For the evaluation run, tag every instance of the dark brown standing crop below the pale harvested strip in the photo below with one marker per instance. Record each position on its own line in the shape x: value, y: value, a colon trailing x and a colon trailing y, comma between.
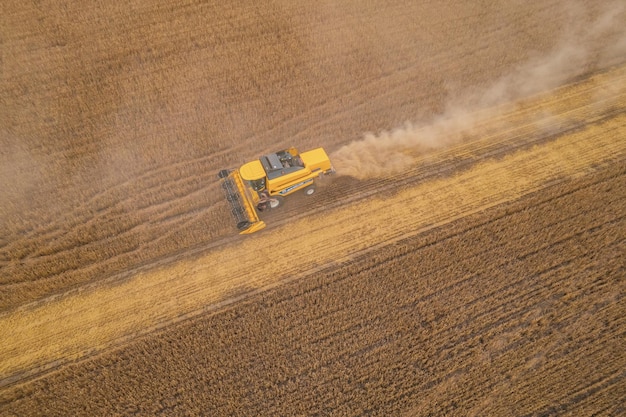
x: 514, y: 311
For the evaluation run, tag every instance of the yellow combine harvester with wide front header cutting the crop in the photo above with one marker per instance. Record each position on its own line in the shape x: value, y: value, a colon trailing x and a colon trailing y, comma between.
x: 261, y: 185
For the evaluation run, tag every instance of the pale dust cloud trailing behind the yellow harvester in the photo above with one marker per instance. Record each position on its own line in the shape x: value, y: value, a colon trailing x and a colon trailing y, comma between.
x: 585, y: 45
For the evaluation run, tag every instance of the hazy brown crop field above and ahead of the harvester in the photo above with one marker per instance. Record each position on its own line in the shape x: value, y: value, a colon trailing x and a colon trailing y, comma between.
x: 116, y: 119
